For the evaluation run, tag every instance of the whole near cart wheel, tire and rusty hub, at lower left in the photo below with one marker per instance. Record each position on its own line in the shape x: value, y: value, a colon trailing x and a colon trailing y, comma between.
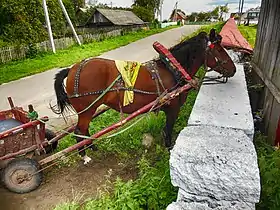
x: 20, y: 175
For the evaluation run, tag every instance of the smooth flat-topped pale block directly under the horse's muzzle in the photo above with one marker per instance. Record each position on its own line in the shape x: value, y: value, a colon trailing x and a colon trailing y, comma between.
x: 224, y: 104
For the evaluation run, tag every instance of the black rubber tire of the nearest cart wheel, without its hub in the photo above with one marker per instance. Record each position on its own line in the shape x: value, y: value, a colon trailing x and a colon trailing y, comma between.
x: 30, y: 166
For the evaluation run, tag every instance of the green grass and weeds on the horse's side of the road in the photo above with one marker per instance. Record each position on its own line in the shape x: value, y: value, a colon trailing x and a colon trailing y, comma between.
x: 152, y: 189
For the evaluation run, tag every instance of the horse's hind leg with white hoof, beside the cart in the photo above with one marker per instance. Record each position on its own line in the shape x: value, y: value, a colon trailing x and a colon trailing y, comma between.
x: 82, y: 129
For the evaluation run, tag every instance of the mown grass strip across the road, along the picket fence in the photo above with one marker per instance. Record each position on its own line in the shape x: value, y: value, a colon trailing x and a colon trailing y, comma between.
x: 43, y: 62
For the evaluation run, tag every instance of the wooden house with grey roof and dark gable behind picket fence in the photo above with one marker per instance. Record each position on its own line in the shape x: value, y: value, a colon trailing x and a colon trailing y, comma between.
x: 110, y: 17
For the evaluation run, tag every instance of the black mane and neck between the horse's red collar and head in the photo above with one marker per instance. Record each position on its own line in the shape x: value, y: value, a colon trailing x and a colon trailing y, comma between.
x: 189, y: 50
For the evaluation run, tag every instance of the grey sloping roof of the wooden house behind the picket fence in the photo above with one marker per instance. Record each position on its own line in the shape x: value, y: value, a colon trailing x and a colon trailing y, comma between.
x: 120, y: 17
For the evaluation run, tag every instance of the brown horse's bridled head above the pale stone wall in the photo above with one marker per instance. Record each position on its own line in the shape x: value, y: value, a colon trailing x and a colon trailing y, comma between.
x: 216, y: 57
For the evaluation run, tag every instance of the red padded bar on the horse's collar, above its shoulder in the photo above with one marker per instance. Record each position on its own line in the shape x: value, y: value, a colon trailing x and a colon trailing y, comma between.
x: 167, y: 54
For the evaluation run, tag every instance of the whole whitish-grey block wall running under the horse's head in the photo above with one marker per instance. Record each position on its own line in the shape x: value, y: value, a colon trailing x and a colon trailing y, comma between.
x: 214, y: 162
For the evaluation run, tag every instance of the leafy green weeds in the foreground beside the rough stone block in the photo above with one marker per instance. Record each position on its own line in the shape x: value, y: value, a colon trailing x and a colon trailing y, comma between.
x: 152, y: 190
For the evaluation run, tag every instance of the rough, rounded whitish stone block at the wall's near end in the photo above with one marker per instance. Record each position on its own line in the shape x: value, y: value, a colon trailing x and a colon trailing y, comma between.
x: 212, y: 164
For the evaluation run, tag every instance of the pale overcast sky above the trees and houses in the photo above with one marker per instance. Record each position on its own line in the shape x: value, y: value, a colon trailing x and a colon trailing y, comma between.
x: 190, y: 5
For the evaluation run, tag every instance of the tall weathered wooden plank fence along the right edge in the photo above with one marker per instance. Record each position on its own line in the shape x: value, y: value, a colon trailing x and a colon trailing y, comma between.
x: 266, y: 63
